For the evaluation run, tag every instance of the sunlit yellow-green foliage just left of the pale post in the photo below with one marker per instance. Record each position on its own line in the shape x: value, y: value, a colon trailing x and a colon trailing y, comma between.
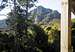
x: 53, y: 31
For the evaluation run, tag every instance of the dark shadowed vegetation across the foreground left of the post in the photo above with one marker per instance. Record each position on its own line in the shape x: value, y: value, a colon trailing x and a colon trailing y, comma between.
x: 36, y: 40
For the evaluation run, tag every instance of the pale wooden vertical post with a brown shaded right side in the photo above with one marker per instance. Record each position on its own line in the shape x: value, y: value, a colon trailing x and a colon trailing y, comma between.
x: 66, y: 26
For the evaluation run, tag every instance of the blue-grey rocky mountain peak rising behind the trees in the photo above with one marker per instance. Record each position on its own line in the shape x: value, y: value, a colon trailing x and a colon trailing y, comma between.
x: 45, y: 14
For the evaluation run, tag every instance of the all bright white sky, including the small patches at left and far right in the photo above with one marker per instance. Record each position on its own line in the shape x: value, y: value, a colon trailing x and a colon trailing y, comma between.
x: 52, y: 4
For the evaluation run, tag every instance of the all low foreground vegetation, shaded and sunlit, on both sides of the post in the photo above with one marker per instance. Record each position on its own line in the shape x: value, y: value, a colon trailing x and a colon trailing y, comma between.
x: 38, y: 38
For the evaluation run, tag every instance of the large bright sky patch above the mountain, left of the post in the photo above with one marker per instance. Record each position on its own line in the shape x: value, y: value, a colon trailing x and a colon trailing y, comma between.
x: 52, y: 4
